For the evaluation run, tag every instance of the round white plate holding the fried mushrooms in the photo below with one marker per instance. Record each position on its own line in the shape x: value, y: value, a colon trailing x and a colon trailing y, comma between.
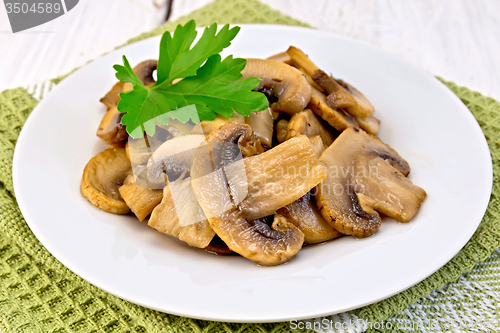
x: 421, y: 118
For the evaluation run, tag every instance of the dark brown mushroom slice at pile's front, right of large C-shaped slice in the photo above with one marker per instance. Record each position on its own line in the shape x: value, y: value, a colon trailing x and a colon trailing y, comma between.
x: 304, y: 215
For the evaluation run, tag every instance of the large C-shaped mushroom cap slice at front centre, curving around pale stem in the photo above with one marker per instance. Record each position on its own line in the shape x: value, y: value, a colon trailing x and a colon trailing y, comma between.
x: 253, y: 239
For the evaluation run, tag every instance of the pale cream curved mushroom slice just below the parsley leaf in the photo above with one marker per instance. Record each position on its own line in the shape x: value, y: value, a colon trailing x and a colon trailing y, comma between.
x: 172, y: 157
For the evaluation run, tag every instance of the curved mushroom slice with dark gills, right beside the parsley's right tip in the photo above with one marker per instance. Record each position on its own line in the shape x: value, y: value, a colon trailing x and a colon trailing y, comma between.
x: 282, y: 81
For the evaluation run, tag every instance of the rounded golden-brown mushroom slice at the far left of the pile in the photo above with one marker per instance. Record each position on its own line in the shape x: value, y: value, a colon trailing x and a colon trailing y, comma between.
x: 102, y: 177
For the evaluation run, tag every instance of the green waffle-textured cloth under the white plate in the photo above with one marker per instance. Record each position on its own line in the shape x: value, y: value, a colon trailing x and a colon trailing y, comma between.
x: 39, y: 294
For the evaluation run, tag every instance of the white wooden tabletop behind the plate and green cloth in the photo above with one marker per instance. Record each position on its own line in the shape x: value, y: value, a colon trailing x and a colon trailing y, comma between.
x: 456, y: 39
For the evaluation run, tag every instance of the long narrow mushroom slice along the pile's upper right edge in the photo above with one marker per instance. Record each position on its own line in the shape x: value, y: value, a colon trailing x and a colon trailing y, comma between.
x: 338, y: 96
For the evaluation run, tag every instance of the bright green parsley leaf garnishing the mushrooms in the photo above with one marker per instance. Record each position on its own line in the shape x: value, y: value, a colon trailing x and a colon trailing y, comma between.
x: 214, y: 88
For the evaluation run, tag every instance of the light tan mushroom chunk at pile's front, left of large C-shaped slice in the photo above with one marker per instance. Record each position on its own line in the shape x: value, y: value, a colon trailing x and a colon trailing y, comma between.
x: 179, y: 215
